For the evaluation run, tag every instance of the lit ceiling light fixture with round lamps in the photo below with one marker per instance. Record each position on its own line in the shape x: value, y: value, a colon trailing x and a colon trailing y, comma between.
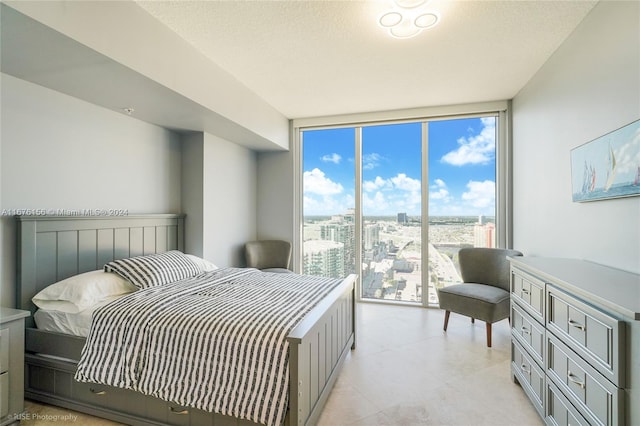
x: 408, y: 18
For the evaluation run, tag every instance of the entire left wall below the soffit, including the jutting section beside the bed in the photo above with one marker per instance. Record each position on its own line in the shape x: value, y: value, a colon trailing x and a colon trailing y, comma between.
x: 59, y: 152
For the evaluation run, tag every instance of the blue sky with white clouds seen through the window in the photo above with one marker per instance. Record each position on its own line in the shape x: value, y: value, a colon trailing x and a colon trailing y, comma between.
x: 461, y: 169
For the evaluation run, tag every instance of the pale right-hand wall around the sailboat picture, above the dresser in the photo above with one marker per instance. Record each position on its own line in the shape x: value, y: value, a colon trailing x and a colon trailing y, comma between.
x: 589, y: 87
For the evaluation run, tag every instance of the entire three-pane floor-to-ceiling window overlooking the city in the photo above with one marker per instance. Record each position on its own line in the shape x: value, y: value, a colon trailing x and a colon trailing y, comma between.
x: 395, y: 201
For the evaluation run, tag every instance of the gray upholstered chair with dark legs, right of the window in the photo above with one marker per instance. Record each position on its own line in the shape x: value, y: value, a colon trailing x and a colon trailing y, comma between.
x: 484, y: 292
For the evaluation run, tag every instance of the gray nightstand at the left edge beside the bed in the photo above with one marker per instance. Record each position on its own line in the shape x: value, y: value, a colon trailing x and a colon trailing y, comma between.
x: 11, y: 365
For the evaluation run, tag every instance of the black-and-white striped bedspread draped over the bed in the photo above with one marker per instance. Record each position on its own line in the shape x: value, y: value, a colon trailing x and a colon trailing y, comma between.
x: 216, y: 342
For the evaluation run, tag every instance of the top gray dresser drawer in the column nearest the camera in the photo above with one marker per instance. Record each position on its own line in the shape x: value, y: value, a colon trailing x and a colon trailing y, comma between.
x: 592, y: 333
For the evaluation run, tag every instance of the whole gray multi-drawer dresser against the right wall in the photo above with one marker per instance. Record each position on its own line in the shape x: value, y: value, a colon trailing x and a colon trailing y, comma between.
x: 575, y: 346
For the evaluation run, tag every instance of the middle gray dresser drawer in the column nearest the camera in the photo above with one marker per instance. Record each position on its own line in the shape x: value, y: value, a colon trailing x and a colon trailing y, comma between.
x: 599, y: 400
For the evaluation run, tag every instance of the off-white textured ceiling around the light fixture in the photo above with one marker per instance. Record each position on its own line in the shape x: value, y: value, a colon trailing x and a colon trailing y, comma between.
x: 316, y: 58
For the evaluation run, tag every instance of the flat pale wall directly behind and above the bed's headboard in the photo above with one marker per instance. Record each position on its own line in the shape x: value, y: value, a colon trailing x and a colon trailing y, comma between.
x: 62, y: 153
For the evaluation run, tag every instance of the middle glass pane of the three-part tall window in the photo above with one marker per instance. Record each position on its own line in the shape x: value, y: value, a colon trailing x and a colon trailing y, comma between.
x: 391, y: 211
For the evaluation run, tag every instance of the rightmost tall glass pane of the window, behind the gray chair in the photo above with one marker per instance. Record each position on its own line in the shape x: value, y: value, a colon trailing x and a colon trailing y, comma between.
x: 462, y: 194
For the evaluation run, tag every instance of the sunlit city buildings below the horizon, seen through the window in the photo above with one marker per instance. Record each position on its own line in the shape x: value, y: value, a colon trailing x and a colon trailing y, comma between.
x: 392, y: 255
